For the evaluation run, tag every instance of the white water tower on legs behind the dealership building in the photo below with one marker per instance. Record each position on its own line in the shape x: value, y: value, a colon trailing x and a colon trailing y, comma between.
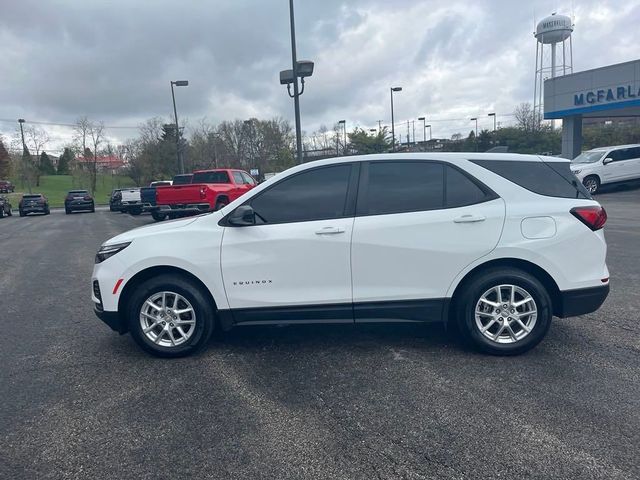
x: 551, y: 31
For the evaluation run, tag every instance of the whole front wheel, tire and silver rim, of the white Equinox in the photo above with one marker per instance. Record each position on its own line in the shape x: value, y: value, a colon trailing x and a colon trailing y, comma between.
x: 170, y: 316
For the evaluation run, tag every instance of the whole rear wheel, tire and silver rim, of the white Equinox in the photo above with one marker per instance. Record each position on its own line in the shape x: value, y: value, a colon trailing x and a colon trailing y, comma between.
x: 505, y: 312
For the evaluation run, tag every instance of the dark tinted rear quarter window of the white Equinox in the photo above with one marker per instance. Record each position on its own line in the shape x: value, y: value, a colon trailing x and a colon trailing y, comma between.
x: 551, y: 179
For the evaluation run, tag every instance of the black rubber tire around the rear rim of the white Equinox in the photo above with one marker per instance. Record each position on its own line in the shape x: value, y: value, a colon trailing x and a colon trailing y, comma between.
x: 483, y: 282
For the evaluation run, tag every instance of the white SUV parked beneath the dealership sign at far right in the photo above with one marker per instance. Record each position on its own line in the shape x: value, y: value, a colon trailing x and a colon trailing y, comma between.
x: 607, y: 165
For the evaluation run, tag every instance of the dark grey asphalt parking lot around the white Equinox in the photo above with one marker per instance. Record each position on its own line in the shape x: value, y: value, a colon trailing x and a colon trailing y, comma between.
x: 400, y: 401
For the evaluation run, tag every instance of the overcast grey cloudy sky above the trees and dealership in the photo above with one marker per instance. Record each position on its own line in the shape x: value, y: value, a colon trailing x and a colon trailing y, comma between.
x: 113, y: 60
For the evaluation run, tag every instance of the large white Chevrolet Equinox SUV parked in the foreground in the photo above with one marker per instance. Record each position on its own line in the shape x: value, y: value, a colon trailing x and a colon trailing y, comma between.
x: 496, y: 243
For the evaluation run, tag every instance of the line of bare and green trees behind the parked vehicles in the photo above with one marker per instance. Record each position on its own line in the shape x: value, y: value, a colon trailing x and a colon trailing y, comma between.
x: 264, y: 145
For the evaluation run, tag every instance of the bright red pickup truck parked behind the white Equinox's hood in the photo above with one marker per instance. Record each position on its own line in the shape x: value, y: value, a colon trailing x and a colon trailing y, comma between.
x: 209, y: 190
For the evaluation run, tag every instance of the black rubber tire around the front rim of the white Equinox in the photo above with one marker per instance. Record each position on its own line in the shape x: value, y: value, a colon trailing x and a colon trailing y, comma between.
x: 204, y: 314
